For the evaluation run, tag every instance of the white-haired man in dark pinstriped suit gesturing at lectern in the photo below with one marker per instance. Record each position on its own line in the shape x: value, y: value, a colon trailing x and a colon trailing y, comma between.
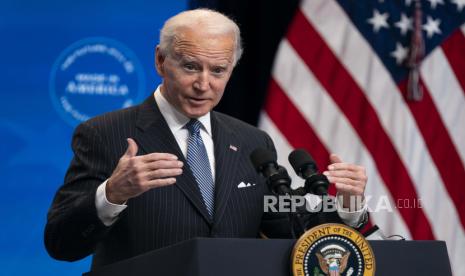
x: 168, y: 169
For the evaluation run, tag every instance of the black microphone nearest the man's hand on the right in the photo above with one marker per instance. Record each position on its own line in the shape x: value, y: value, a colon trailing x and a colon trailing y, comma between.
x: 306, y: 168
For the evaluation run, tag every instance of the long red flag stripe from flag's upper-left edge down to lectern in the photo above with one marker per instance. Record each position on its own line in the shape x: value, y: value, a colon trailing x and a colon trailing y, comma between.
x: 349, y: 97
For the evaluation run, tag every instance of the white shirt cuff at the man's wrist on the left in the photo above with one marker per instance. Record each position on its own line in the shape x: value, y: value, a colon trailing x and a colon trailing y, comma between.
x: 106, y: 211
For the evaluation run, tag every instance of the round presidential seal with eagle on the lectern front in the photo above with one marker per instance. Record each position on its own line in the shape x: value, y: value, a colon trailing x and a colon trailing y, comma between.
x: 332, y: 249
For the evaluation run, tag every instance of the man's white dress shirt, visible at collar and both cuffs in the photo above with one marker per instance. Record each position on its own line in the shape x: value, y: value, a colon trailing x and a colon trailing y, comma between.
x: 108, y: 212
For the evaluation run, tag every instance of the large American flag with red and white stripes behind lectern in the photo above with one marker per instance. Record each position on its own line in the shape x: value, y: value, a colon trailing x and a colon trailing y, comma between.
x: 382, y: 84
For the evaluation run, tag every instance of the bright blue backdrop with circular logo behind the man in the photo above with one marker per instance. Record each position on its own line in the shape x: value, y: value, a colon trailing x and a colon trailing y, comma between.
x: 61, y: 62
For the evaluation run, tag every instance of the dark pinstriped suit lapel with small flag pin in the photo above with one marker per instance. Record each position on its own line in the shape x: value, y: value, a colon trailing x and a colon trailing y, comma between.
x: 226, y: 158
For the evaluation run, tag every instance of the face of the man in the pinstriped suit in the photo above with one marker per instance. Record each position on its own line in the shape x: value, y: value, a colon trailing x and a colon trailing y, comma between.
x: 196, y: 71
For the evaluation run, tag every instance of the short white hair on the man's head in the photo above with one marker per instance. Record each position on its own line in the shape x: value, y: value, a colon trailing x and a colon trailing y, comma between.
x: 214, y: 22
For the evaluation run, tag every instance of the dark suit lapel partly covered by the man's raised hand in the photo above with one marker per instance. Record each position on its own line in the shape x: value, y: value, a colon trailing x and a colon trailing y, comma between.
x: 154, y: 135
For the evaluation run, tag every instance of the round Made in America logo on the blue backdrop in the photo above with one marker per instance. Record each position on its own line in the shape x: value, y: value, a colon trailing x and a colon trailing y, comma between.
x: 93, y: 76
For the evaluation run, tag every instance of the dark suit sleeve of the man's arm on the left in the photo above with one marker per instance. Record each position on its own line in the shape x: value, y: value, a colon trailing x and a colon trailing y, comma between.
x: 73, y: 228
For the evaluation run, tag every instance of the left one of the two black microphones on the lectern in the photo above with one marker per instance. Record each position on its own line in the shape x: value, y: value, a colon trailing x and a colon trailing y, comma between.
x: 277, y: 177
